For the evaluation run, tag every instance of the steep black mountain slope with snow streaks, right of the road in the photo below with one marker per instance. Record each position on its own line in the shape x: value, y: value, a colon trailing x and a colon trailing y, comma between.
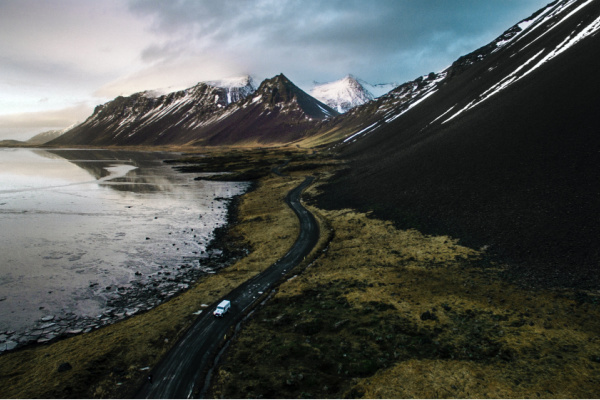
x: 501, y: 150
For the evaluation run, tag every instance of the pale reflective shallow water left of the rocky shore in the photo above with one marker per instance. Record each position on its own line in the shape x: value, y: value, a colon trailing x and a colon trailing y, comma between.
x: 77, y: 226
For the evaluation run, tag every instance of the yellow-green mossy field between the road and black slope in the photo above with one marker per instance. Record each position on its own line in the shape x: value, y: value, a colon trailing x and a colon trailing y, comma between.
x: 386, y: 313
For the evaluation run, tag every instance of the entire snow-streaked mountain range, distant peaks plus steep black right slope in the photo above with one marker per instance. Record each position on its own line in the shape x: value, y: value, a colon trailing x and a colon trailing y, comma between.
x: 500, y: 149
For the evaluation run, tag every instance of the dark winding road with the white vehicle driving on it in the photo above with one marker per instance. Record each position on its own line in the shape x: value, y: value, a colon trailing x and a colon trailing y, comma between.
x: 181, y: 374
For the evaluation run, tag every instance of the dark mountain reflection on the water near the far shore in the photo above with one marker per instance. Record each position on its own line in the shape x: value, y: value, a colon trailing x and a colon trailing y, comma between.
x: 144, y: 179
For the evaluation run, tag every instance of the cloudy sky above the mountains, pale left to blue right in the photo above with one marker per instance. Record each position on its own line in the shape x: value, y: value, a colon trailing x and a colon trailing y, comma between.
x: 61, y: 58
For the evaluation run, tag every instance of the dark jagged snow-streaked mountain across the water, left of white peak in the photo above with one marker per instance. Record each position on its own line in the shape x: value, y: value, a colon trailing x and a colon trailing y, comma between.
x: 278, y: 112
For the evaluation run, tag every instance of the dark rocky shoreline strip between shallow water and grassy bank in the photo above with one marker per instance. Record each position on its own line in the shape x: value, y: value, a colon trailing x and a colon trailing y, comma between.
x: 140, y: 295
